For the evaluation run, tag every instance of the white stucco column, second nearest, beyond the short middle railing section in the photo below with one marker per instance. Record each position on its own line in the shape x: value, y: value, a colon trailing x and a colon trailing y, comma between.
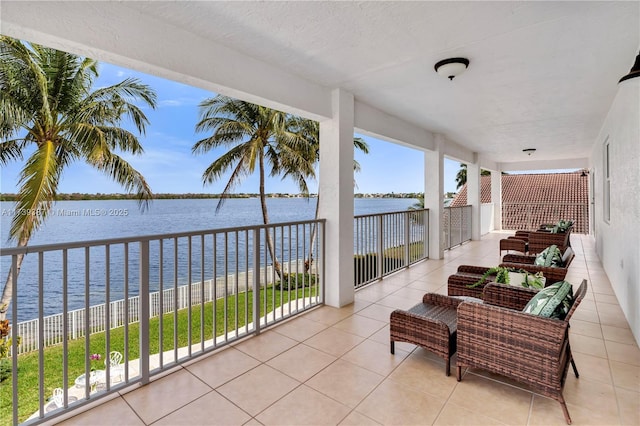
x: 434, y: 195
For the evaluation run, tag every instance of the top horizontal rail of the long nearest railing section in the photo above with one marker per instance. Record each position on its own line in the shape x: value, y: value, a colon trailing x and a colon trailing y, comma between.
x: 9, y: 251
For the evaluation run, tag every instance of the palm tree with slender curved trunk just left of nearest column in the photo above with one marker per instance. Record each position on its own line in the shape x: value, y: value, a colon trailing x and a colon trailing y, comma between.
x: 257, y: 137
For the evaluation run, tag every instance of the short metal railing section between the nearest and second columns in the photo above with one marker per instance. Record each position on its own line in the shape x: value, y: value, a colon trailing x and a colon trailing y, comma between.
x: 387, y: 242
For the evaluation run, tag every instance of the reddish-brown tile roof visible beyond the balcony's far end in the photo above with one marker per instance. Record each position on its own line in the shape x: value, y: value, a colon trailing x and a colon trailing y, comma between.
x: 531, y: 199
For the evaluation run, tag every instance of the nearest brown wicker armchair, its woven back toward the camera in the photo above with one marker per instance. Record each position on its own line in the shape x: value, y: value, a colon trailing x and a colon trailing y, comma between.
x: 529, y: 349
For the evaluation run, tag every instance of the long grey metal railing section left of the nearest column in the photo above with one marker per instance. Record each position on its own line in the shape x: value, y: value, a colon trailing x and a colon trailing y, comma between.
x: 92, y: 273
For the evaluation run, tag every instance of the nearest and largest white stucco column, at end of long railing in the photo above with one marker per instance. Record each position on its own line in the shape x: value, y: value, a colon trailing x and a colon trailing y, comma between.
x: 336, y: 199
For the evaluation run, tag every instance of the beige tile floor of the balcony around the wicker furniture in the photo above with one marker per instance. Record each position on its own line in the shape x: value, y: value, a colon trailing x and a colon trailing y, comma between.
x: 333, y: 366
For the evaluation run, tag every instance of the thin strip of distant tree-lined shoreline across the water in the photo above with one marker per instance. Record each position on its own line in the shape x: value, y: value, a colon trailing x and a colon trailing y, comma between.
x: 83, y: 196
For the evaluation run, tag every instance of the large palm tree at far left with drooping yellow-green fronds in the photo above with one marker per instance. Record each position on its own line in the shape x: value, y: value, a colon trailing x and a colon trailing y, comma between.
x: 49, y: 114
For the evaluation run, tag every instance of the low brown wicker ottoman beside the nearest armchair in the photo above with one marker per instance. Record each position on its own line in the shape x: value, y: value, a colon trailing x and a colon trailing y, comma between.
x: 431, y: 324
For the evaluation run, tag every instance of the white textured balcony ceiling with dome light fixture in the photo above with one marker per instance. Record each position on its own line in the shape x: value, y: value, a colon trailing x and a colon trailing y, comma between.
x: 541, y: 74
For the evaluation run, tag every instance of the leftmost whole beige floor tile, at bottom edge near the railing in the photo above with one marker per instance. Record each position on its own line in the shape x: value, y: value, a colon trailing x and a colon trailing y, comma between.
x: 165, y: 395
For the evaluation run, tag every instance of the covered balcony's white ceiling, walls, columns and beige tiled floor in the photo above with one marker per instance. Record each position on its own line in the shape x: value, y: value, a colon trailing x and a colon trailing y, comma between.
x: 540, y: 75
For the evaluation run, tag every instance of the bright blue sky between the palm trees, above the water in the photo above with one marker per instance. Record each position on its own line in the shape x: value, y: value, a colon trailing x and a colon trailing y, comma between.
x: 169, y: 166
